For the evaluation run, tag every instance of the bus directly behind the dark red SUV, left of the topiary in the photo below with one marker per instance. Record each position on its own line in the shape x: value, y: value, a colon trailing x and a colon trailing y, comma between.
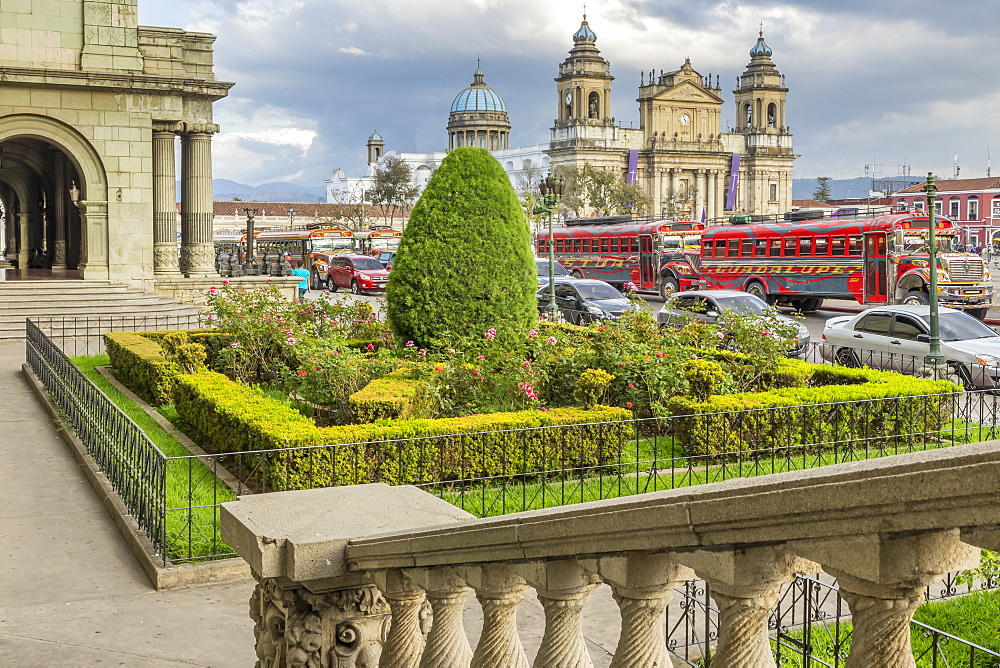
x: 310, y: 247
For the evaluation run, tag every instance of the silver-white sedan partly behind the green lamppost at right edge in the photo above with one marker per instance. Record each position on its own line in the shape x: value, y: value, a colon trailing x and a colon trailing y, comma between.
x: 897, y: 337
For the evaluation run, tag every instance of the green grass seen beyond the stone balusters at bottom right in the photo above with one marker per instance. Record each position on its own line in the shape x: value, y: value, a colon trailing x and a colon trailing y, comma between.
x: 973, y: 617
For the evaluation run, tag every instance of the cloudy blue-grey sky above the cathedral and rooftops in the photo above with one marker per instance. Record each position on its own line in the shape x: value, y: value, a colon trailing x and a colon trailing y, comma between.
x: 885, y: 82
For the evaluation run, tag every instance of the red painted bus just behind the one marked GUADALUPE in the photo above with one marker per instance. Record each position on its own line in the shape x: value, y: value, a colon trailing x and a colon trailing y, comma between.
x: 620, y: 249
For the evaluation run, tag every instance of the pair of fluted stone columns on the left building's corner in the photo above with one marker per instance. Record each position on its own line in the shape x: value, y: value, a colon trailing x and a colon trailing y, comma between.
x: 197, y: 254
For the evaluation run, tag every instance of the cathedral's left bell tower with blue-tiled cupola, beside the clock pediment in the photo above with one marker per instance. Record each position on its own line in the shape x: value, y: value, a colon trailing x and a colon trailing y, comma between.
x: 583, y: 86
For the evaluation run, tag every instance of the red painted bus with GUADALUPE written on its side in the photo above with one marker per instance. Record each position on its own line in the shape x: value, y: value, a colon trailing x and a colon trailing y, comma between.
x: 879, y: 260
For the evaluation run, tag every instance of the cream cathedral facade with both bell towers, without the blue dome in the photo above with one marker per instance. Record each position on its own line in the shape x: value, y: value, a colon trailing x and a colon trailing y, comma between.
x: 679, y: 154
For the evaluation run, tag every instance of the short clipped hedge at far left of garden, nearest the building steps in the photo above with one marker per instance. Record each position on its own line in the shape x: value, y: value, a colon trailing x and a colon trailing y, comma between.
x: 142, y: 364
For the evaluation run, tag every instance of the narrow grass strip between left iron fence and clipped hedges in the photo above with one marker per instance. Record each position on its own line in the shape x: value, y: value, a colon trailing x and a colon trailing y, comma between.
x: 193, y: 491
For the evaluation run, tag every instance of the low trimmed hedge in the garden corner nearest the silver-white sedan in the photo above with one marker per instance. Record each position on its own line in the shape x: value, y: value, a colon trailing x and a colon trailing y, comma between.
x: 839, y: 411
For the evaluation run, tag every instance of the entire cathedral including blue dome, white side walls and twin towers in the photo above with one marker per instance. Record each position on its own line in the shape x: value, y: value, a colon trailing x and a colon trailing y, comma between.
x: 679, y: 154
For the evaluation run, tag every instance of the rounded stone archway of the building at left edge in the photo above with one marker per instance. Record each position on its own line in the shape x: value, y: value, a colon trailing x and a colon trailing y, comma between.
x: 60, y: 184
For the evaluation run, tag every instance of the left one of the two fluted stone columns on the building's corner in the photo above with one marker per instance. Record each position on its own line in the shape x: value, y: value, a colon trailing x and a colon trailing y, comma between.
x: 164, y: 204
